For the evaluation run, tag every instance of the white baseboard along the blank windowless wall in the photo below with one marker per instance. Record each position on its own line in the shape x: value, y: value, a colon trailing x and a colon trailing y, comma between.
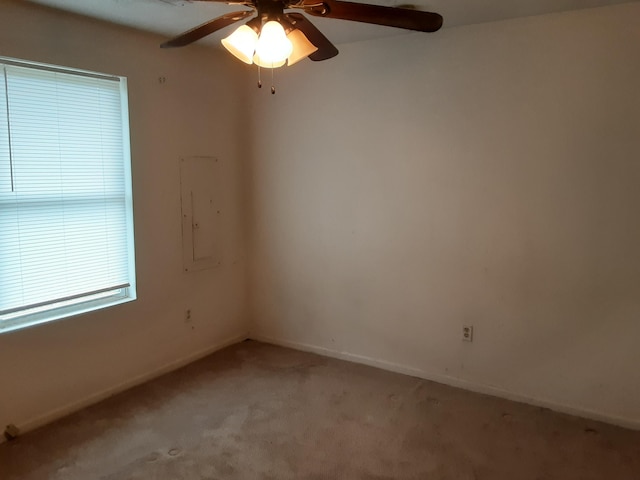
x: 630, y: 423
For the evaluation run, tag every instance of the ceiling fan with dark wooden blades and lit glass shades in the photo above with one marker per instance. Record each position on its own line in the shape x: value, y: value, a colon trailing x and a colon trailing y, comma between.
x: 275, y: 36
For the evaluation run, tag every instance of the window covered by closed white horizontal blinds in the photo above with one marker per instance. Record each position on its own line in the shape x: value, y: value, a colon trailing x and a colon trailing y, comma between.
x: 66, y: 222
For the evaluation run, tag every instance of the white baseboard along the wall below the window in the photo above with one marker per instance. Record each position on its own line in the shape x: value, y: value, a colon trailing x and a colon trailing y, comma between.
x: 65, y: 410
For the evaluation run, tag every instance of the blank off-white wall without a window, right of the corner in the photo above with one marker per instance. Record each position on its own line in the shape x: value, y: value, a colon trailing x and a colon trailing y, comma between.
x: 485, y: 175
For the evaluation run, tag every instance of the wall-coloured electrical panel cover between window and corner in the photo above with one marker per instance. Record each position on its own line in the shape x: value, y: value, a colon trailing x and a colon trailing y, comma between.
x: 201, y: 210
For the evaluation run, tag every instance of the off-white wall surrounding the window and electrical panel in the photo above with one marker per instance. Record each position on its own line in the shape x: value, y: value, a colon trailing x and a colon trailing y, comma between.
x: 52, y: 369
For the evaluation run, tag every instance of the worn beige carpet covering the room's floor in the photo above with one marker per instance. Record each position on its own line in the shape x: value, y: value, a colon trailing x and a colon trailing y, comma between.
x: 255, y: 411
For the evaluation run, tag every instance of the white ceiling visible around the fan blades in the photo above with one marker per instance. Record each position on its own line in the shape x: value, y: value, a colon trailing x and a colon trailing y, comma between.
x: 171, y: 17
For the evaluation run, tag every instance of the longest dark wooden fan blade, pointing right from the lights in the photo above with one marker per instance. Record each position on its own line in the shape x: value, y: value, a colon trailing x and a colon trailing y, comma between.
x: 379, y: 15
